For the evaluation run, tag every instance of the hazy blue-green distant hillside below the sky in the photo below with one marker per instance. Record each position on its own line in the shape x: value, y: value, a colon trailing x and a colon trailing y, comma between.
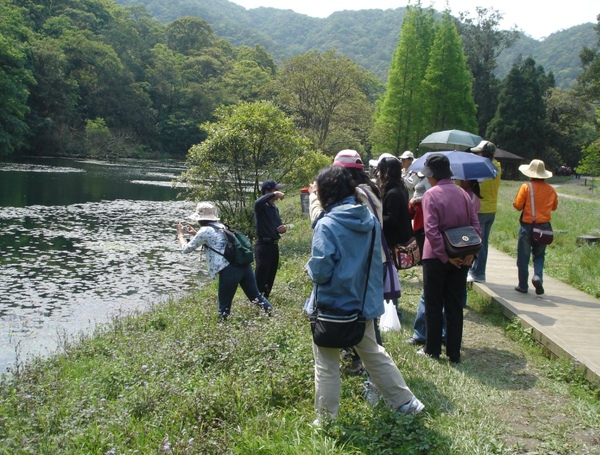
x: 368, y: 37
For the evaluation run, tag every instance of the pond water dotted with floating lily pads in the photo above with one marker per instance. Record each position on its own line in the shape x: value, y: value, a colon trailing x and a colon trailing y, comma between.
x: 81, y: 242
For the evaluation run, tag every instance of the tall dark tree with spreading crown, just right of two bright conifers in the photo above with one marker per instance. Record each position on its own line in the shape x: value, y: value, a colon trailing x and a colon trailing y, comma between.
x: 482, y: 44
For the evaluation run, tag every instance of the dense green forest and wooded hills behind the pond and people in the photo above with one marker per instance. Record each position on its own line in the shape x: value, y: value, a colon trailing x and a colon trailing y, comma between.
x: 99, y: 79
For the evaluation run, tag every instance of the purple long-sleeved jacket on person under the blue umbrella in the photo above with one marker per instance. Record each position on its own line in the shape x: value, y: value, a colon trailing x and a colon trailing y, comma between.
x: 445, y: 205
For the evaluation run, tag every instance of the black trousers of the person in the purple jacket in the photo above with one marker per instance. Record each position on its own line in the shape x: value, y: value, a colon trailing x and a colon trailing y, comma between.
x: 445, y: 287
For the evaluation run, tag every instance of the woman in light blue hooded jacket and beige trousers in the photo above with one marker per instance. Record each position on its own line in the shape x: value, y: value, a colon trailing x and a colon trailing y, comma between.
x: 340, y: 251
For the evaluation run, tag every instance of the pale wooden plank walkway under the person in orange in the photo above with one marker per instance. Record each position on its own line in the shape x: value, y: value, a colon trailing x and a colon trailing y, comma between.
x: 566, y: 321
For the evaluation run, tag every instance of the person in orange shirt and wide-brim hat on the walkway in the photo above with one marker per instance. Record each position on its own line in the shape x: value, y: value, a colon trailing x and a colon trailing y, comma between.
x: 545, y: 201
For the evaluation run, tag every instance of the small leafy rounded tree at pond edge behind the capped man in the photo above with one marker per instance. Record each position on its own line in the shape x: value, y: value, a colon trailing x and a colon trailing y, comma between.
x: 248, y: 143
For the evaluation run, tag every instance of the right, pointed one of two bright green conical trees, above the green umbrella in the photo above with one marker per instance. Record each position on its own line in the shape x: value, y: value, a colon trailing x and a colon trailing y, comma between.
x: 447, y: 89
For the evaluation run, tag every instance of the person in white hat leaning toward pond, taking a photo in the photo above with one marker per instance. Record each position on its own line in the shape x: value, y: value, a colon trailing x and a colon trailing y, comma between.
x: 212, y: 236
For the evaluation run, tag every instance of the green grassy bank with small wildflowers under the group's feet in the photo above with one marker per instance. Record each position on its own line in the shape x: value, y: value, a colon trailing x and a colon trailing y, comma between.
x: 172, y: 380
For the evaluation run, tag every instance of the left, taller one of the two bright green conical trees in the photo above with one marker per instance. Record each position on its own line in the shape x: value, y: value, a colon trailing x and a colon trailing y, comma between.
x: 399, y: 118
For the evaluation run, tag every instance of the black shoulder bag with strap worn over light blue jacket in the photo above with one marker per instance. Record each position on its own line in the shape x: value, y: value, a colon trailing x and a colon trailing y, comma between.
x: 333, y: 329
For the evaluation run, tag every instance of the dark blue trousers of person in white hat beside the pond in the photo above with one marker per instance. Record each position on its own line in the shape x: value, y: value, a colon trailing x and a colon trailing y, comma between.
x: 229, y: 279
